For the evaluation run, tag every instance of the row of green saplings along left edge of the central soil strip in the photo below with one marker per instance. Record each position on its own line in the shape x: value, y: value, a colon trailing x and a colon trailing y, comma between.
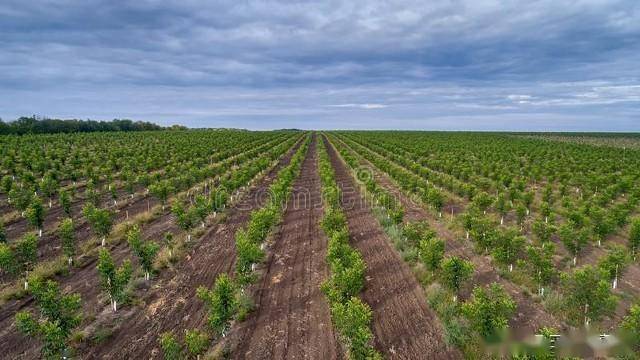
x: 227, y: 300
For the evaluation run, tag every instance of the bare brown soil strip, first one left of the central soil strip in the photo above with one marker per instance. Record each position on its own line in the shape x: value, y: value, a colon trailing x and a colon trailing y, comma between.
x: 174, y: 306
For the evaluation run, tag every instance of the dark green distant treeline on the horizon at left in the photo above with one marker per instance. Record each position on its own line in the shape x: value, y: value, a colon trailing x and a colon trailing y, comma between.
x: 34, y: 125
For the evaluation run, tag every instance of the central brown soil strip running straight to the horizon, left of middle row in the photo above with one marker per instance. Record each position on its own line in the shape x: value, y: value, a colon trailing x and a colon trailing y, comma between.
x: 292, y: 318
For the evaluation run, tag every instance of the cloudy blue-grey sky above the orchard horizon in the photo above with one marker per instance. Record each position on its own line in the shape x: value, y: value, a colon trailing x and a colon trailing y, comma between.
x: 518, y: 65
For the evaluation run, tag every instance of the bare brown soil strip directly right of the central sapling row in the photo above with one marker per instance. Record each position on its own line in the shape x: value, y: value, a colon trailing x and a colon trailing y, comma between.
x: 404, y: 326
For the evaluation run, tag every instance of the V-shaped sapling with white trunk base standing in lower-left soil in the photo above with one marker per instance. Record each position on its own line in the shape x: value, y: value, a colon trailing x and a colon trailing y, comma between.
x: 113, y: 280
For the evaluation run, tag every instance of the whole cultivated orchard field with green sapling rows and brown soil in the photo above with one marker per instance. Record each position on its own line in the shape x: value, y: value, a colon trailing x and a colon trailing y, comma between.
x: 319, y: 245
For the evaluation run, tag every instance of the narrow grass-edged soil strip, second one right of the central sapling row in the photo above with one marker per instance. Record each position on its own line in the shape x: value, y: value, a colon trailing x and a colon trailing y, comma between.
x: 529, y: 316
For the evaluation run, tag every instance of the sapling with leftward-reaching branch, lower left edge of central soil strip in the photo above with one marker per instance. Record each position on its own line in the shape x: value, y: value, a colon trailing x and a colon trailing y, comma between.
x: 222, y: 303
